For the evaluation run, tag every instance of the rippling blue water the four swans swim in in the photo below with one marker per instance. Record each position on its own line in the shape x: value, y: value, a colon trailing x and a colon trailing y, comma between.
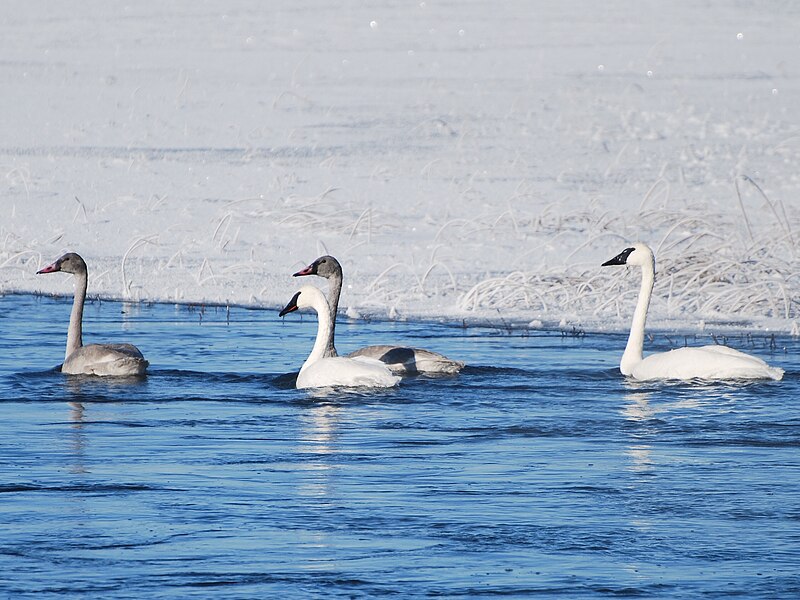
x: 537, y: 471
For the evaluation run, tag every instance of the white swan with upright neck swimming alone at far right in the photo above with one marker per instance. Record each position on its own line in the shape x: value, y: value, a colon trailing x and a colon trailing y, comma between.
x: 706, y: 362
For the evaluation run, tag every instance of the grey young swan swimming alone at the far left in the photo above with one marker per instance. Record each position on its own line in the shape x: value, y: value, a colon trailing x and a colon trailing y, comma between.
x: 94, y: 359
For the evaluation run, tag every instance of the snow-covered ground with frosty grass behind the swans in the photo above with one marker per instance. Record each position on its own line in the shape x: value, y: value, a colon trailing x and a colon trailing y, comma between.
x: 465, y: 161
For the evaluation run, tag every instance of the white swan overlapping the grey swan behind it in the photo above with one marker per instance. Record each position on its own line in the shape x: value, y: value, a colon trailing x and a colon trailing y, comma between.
x: 320, y: 370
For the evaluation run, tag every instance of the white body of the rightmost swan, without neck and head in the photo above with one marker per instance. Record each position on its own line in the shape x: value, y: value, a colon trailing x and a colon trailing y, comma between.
x: 706, y: 362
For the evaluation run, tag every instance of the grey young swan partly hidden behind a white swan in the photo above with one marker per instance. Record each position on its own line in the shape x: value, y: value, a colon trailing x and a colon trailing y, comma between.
x: 402, y: 360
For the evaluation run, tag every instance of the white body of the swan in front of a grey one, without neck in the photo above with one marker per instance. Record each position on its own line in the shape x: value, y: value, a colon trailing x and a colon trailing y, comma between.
x: 341, y: 371
